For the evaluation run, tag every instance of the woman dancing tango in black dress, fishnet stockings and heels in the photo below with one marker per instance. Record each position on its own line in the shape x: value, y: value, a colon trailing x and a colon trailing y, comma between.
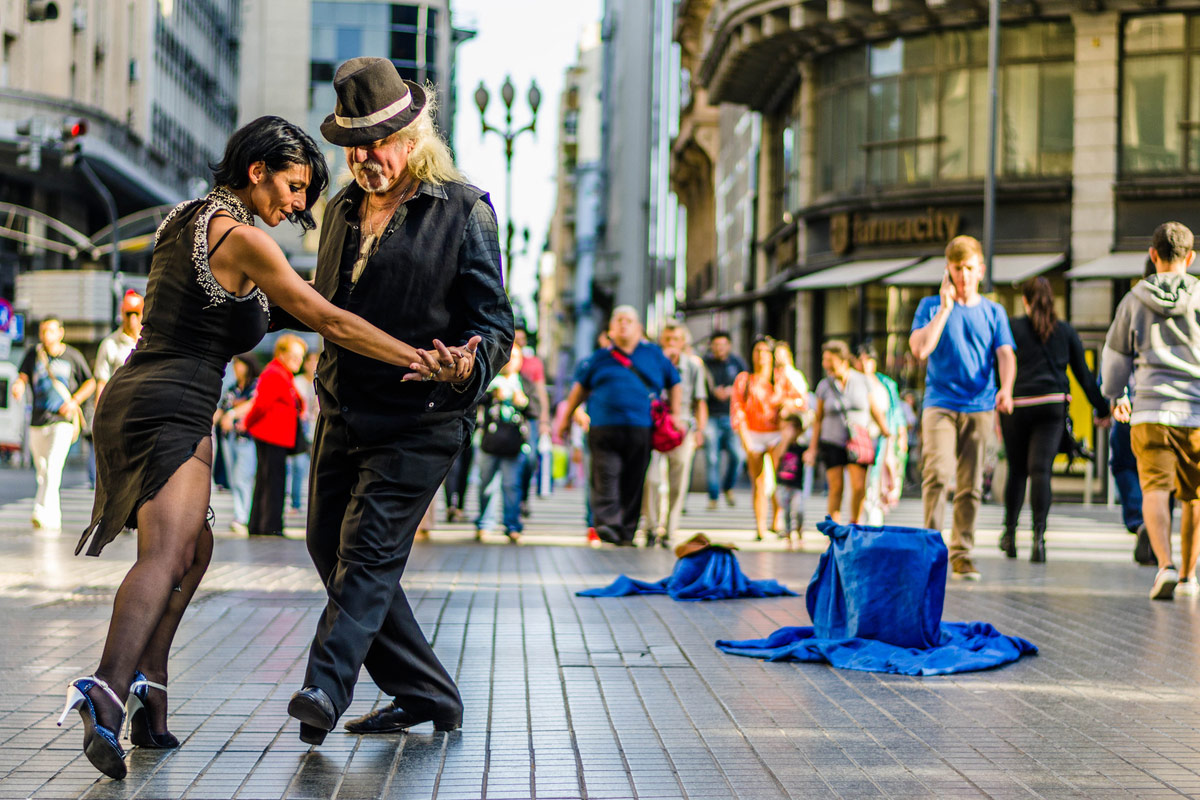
x: 212, y: 279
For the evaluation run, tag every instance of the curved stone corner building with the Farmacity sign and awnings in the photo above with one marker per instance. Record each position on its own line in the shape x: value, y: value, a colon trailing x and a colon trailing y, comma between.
x: 873, y: 153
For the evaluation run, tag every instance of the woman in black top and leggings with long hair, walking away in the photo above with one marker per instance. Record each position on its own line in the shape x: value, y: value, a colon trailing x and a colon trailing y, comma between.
x: 1046, y: 347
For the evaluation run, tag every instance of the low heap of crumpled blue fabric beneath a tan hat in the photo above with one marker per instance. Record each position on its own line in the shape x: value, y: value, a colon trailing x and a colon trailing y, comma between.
x: 712, y: 574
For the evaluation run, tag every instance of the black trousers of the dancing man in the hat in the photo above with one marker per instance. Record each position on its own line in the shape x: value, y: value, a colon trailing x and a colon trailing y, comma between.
x: 367, y: 500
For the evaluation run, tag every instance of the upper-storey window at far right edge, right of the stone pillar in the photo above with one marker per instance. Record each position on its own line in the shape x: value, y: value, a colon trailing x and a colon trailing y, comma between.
x: 1161, y: 95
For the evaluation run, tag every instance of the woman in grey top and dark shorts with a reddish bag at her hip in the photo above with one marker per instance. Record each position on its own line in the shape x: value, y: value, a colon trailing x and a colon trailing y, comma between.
x: 841, y: 438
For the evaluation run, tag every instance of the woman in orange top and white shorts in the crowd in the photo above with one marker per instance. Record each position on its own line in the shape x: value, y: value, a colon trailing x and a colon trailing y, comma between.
x: 754, y: 414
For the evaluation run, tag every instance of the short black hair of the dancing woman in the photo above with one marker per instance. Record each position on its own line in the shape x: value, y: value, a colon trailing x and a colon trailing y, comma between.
x: 279, y: 145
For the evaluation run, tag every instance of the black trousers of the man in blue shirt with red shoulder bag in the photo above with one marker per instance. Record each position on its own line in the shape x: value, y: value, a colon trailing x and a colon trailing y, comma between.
x: 620, y: 458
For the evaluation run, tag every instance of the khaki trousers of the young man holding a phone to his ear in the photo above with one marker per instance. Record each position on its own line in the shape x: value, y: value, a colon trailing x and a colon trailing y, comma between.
x: 953, y: 446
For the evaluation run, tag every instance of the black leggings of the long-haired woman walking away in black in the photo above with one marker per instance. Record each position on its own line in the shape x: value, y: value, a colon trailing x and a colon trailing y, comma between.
x: 1031, y: 442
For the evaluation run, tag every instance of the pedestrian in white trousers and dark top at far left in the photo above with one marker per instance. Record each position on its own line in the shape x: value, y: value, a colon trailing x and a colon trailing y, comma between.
x: 59, y: 382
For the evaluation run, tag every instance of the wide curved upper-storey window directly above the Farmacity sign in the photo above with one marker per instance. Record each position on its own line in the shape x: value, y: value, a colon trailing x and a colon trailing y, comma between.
x: 914, y: 111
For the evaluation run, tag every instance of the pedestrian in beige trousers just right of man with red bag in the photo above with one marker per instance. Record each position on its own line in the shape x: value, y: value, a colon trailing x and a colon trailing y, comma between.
x: 669, y: 477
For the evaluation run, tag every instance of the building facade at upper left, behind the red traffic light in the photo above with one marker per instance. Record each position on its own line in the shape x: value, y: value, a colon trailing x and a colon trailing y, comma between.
x: 153, y: 87
